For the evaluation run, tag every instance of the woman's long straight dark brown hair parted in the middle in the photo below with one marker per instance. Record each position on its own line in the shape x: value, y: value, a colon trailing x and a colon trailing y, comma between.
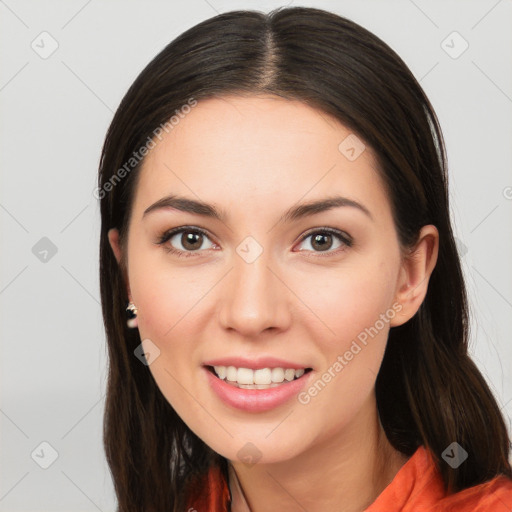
x: 429, y: 392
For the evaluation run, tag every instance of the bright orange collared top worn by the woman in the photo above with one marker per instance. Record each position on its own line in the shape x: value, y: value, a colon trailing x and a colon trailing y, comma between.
x: 417, y: 487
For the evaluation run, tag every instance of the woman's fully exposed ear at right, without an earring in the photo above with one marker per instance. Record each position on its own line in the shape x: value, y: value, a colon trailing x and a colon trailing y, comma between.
x: 417, y: 267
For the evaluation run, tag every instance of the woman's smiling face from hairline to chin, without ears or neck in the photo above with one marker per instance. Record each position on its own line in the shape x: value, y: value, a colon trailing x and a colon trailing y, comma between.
x: 269, y: 283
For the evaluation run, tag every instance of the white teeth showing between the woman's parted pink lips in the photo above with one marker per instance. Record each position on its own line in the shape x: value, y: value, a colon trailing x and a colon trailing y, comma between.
x: 263, y: 378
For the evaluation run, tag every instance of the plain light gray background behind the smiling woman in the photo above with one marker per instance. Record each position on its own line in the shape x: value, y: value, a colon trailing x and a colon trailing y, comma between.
x: 54, y: 114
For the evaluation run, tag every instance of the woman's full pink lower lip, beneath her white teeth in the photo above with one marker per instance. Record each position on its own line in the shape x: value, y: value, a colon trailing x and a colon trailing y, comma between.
x: 255, y: 400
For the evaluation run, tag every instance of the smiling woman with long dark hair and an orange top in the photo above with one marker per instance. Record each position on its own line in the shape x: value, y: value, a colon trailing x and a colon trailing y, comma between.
x: 275, y: 223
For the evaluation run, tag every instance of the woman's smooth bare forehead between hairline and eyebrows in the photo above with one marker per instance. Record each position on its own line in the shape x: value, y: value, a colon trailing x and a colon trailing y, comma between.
x: 260, y: 149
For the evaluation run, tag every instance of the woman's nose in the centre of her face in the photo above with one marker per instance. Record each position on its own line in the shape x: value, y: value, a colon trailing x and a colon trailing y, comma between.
x: 254, y: 299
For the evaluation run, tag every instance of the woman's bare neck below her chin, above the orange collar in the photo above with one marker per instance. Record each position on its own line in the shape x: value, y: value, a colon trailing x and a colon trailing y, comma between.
x: 344, y: 472
